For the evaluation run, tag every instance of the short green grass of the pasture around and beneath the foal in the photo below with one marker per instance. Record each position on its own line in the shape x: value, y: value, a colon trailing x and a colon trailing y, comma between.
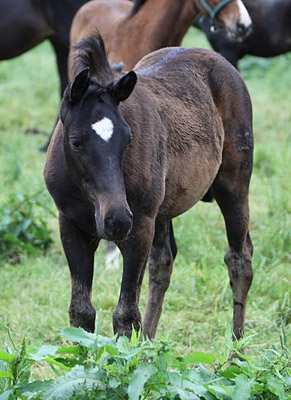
x: 35, y: 292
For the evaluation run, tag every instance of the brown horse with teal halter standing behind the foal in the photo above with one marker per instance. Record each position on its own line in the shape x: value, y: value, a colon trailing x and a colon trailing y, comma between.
x: 131, y: 32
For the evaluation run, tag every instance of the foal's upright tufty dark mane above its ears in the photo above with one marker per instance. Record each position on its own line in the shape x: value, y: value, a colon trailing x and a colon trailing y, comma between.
x: 90, y: 52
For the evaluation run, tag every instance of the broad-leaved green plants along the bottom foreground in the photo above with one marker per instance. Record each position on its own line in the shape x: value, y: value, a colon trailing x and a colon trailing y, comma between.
x: 97, y: 367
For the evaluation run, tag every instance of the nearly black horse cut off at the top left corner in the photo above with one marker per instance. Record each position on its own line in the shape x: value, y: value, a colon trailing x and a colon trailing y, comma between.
x: 27, y: 23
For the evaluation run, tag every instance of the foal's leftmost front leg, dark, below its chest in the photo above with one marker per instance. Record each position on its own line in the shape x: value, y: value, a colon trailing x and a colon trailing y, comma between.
x: 79, y: 249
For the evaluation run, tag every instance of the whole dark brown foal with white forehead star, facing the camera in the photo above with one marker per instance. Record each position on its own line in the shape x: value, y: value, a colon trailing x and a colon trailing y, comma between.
x: 134, y: 150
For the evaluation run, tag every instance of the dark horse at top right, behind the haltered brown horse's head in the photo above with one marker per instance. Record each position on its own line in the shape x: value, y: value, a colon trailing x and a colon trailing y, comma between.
x: 270, y: 36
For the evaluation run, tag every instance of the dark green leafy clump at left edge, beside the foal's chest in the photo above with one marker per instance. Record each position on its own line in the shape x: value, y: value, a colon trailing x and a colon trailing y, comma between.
x: 23, y: 227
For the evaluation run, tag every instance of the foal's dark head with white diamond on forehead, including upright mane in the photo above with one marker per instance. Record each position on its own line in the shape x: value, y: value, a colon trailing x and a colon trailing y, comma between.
x: 96, y: 136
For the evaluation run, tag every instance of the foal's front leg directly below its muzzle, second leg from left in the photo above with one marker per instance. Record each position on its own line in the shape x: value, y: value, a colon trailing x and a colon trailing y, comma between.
x: 135, y: 253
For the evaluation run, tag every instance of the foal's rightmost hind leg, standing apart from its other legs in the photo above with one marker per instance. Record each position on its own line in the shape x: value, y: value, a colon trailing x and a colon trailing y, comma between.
x: 230, y: 189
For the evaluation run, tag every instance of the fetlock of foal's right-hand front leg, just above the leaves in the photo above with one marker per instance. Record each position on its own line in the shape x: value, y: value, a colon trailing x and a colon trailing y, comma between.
x: 123, y: 322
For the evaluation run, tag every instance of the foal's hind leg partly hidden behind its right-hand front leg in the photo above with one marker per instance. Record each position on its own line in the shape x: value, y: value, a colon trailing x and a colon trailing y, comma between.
x: 161, y: 259
